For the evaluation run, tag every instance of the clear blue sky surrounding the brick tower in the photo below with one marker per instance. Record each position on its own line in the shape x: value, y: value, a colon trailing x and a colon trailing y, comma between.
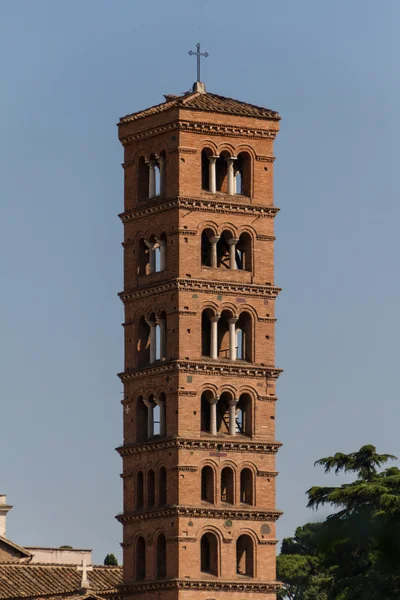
x: 69, y: 70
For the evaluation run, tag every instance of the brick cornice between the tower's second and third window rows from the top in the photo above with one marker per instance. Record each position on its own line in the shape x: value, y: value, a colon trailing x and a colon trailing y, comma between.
x: 226, y: 288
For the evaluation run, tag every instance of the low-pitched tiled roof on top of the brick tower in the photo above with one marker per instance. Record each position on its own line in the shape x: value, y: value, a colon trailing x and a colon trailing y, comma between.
x: 206, y: 102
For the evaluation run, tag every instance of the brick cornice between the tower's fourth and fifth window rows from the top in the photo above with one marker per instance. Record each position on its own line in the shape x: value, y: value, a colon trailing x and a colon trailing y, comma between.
x: 213, y: 444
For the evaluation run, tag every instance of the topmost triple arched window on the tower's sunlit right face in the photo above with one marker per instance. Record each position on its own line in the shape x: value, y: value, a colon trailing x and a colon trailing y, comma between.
x: 226, y: 173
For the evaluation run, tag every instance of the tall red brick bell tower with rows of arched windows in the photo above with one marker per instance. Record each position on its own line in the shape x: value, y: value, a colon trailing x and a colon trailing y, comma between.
x: 199, y: 378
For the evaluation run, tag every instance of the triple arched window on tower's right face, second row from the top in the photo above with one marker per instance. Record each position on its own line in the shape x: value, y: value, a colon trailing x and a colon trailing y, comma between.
x: 226, y: 251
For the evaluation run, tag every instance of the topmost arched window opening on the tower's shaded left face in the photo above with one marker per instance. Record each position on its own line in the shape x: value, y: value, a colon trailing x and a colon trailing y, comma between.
x: 151, y: 176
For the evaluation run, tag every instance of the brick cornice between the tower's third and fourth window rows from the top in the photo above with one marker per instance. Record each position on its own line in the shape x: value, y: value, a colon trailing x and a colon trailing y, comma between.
x: 203, y: 367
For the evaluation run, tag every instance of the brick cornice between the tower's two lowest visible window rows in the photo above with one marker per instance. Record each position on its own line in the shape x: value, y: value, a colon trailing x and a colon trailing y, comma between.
x: 201, y: 513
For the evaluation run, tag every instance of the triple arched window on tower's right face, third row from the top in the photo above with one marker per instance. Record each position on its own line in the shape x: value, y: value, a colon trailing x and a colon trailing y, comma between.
x: 225, y: 336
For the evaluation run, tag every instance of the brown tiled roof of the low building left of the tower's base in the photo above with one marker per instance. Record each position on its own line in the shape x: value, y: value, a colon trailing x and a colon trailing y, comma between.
x: 43, y: 580
